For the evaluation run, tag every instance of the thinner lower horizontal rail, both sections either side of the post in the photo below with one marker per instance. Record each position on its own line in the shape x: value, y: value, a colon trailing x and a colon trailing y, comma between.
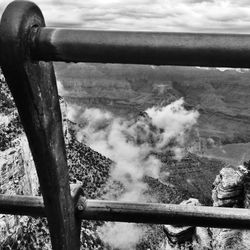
x: 137, y: 212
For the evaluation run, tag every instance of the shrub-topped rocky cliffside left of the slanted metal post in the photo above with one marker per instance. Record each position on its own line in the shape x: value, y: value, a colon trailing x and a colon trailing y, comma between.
x: 17, y: 170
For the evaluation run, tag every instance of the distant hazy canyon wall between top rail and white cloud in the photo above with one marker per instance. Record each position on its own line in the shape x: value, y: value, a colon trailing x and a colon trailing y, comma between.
x: 222, y: 98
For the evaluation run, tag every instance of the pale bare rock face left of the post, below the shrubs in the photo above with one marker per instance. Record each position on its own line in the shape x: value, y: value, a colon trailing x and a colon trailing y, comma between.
x: 17, y: 177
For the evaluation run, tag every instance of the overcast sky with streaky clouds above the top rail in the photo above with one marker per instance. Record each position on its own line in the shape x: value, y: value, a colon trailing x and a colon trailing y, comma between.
x: 151, y: 15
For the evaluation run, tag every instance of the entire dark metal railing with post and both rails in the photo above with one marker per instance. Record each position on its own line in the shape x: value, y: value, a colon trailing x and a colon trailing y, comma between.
x: 26, y: 51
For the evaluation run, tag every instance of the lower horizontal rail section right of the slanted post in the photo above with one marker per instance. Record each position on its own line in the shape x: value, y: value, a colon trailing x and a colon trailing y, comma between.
x: 166, y: 214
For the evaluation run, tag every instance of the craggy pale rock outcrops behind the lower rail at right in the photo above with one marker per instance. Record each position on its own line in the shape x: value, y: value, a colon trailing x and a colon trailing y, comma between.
x: 229, y: 190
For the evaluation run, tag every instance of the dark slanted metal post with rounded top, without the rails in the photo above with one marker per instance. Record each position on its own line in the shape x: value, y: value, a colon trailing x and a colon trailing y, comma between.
x: 33, y: 86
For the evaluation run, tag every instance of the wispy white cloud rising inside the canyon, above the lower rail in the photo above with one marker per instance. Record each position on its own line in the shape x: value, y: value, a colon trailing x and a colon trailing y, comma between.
x: 130, y: 143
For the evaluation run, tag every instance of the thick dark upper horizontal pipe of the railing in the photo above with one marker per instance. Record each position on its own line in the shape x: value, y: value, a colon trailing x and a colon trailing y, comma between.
x: 74, y: 45
